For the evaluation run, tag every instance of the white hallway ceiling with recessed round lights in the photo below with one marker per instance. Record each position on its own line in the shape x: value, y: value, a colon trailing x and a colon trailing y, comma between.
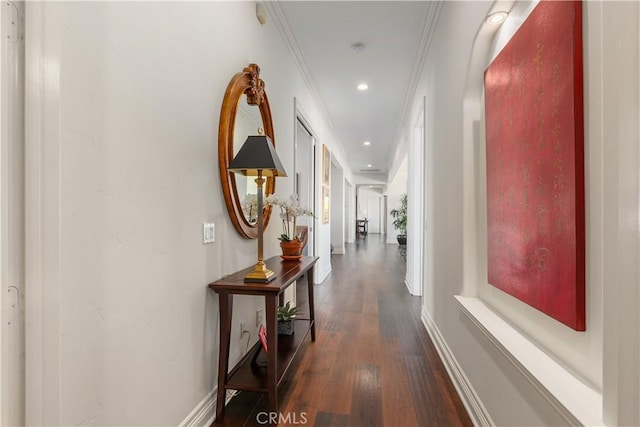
x: 393, y: 36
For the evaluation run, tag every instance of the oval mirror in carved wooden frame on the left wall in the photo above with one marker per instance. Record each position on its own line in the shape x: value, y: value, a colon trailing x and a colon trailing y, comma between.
x: 245, y: 109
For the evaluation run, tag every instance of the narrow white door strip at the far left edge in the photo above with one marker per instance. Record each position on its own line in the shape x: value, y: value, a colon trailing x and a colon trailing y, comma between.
x: 12, y: 213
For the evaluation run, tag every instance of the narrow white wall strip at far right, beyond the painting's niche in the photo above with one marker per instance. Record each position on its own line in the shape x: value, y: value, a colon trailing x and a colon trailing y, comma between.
x: 619, y: 23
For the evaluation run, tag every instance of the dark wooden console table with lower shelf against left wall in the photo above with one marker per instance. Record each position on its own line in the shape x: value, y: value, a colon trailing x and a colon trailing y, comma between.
x: 247, y: 374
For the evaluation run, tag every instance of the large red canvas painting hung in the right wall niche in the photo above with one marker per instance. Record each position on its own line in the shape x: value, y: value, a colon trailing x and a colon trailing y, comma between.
x: 535, y: 164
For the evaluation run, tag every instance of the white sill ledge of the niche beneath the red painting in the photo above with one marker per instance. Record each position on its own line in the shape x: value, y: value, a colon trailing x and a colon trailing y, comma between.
x: 575, y: 401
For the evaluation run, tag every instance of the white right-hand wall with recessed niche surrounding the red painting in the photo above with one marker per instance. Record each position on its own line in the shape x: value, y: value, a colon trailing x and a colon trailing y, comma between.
x: 606, y: 356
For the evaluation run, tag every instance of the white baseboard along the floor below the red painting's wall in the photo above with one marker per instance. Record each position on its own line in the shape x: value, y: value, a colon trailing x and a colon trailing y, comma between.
x: 477, y: 412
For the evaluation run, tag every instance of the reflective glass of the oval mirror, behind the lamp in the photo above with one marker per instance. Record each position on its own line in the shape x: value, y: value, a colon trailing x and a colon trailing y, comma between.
x: 248, y: 122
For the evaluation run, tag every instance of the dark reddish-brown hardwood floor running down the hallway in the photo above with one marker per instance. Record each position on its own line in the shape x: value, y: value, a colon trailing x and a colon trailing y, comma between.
x: 372, y: 364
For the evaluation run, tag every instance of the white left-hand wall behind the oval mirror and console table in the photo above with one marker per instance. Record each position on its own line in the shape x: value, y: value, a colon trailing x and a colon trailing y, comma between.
x: 123, y: 103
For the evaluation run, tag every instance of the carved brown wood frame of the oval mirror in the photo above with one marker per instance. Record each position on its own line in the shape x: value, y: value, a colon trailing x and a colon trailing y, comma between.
x: 247, y: 82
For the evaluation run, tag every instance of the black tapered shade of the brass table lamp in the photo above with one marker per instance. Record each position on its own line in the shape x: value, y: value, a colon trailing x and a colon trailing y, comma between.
x: 257, y: 153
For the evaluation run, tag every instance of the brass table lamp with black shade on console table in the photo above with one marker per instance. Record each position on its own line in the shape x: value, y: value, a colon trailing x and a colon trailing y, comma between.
x: 258, y: 158
